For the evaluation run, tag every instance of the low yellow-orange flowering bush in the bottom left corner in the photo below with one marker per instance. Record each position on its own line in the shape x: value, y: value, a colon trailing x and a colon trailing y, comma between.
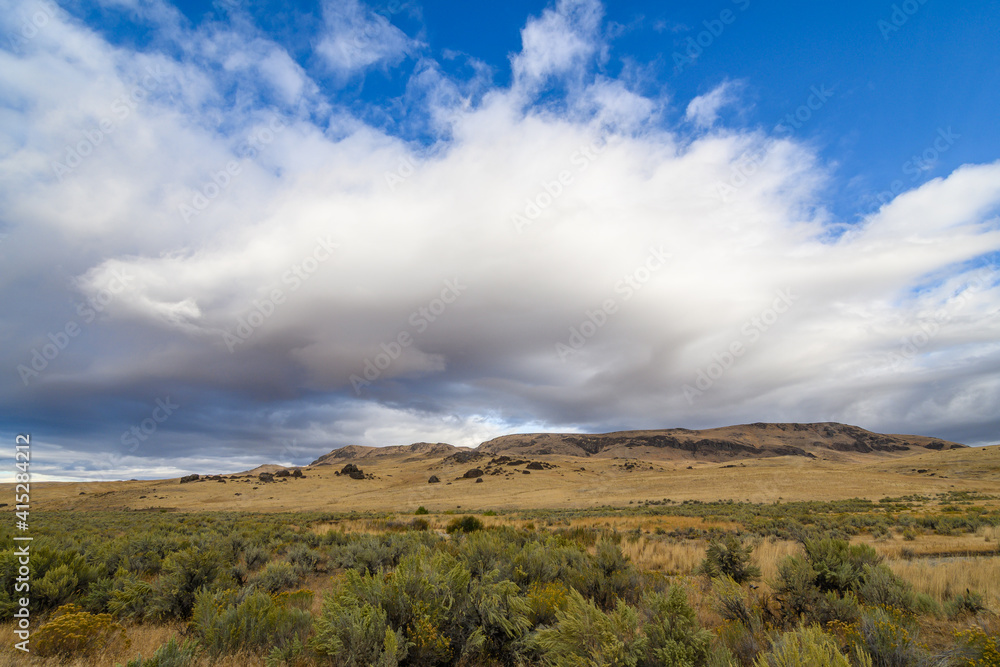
x: 73, y: 633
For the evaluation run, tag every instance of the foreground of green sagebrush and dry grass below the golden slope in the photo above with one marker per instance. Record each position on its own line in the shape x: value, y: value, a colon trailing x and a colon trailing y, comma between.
x: 902, y: 581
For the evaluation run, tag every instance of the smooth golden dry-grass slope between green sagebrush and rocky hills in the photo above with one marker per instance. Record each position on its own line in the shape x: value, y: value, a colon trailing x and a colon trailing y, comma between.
x: 402, y: 485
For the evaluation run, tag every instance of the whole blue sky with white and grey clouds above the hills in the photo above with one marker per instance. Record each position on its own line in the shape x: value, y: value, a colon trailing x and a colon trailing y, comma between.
x: 234, y: 233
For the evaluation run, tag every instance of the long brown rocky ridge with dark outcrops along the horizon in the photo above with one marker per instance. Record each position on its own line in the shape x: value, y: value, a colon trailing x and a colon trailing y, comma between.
x: 823, y: 440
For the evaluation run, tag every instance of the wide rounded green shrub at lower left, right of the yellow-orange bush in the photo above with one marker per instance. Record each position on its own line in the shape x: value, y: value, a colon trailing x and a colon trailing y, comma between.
x: 231, y: 621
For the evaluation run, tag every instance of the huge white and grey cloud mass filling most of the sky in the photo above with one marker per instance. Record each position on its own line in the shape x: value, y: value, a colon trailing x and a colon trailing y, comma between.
x: 601, y: 184
